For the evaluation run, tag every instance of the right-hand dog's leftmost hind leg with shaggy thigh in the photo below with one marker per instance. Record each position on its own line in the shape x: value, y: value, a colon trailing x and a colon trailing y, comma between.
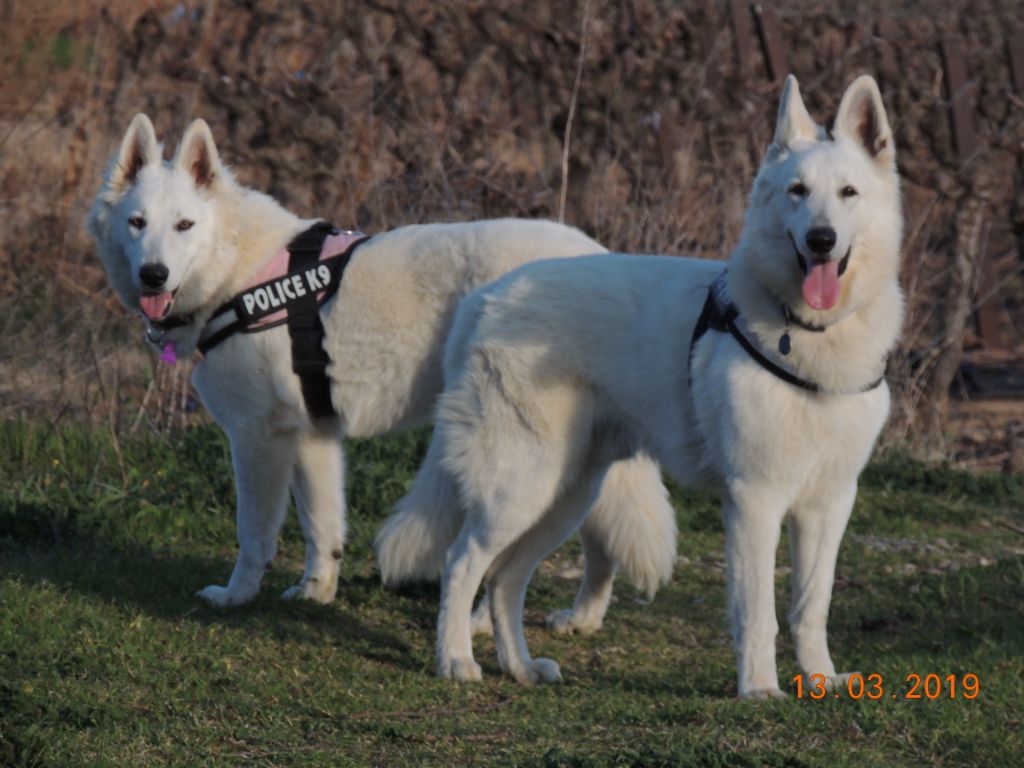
x: 513, y: 449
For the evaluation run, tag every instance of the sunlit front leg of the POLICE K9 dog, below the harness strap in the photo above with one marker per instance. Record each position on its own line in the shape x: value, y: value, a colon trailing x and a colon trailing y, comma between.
x: 320, y: 497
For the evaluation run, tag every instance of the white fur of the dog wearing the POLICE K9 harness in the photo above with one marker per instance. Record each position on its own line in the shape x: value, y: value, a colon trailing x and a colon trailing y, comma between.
x: 386, y: 331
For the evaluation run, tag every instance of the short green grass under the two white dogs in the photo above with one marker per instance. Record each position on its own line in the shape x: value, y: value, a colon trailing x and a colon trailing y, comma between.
x: 107, y: 658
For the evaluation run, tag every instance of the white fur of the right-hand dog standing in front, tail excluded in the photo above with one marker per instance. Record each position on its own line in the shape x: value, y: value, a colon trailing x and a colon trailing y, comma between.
x: 564, y: 367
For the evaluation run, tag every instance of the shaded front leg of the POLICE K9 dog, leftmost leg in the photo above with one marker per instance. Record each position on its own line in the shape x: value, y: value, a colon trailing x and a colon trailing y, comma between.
x: 265, y: 461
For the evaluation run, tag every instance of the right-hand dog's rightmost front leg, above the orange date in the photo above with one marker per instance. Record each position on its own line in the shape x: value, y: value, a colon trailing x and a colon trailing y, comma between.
x: 816, y: 533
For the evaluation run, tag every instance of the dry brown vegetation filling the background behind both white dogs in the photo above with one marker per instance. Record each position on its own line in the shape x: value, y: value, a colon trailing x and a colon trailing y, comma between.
x: 381, y: 113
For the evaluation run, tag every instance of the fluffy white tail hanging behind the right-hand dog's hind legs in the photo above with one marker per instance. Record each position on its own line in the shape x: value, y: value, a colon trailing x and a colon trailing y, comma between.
x: 413, y: 542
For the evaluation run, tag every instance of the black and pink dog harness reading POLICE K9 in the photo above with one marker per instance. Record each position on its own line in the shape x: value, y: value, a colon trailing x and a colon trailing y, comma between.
x: 314, y: 277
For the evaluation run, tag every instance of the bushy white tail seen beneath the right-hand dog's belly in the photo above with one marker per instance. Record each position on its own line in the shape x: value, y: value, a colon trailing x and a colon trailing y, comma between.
x: 635, y: 523
